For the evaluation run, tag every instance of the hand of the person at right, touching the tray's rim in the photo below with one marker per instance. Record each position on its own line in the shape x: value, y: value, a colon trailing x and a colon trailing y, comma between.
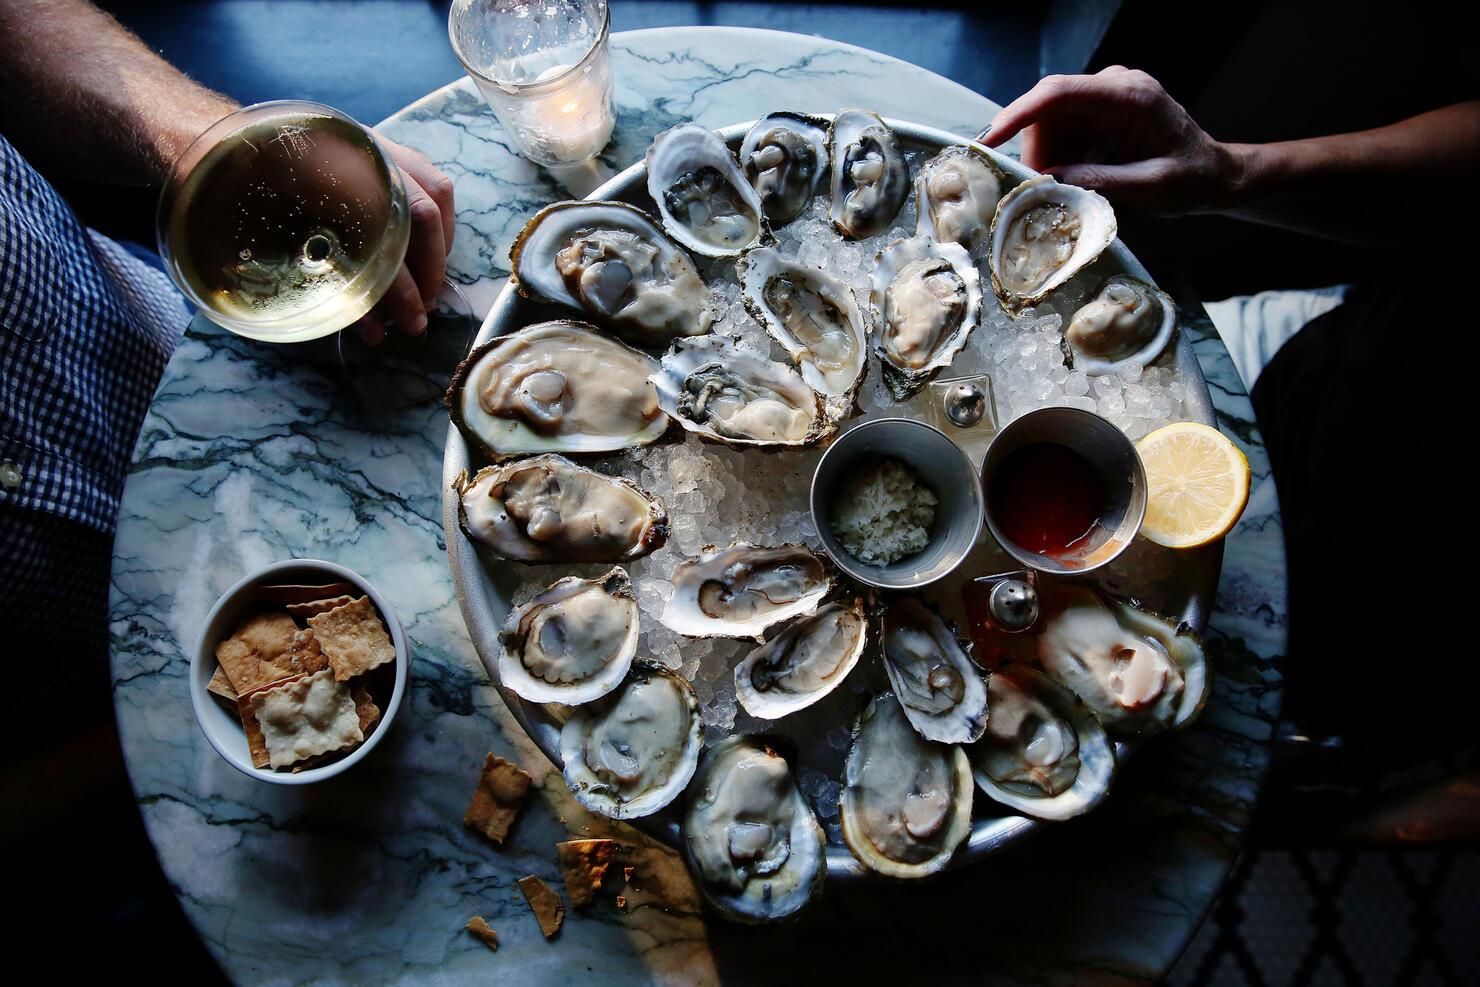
x: 1120, y: 134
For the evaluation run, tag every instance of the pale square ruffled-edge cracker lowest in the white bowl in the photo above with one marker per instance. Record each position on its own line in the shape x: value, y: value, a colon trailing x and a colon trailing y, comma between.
x: 307, y: 717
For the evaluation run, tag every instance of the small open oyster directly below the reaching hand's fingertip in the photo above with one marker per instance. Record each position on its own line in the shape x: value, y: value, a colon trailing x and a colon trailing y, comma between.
x: 957, y: 196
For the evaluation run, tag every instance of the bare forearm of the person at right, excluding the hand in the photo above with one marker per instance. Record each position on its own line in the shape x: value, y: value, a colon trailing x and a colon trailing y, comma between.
x: 1367, y: 187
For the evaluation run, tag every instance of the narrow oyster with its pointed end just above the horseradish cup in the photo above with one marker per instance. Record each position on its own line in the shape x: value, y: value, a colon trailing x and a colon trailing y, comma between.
x: 813, y: 316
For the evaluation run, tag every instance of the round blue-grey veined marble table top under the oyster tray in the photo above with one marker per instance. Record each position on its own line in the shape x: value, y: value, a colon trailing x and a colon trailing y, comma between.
x: 255, y: 454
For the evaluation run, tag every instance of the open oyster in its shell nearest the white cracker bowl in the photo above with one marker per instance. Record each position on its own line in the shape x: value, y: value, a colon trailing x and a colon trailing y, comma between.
x: 572, y: 643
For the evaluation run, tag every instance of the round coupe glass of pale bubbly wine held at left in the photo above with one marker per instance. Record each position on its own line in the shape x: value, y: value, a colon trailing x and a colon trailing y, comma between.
x: 285, y: 221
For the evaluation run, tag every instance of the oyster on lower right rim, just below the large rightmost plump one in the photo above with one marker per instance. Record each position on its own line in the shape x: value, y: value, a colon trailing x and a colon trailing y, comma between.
x: 1044, y: 754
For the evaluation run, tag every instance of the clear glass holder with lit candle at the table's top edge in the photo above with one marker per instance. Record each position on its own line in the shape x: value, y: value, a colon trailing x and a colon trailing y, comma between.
x: 545, y: 69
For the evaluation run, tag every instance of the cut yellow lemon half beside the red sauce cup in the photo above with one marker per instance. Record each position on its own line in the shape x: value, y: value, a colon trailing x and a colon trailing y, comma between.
x: 1197, y: 485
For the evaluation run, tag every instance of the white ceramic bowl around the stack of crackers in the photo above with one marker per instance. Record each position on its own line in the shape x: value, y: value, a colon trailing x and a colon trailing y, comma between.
x: 223, y: 729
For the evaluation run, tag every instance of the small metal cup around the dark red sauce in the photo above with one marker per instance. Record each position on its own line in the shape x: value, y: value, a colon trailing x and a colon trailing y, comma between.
x: 1109, y: 454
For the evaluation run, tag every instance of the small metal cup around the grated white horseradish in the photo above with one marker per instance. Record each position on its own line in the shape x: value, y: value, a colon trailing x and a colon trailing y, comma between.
x: 939, y: 464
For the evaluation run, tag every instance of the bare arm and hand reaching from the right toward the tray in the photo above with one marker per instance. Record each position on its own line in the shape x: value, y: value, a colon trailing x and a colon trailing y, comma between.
x: 1121, y: 134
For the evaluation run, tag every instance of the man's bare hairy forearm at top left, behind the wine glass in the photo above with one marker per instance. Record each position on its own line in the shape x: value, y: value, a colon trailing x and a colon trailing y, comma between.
x: 85, y: 98
